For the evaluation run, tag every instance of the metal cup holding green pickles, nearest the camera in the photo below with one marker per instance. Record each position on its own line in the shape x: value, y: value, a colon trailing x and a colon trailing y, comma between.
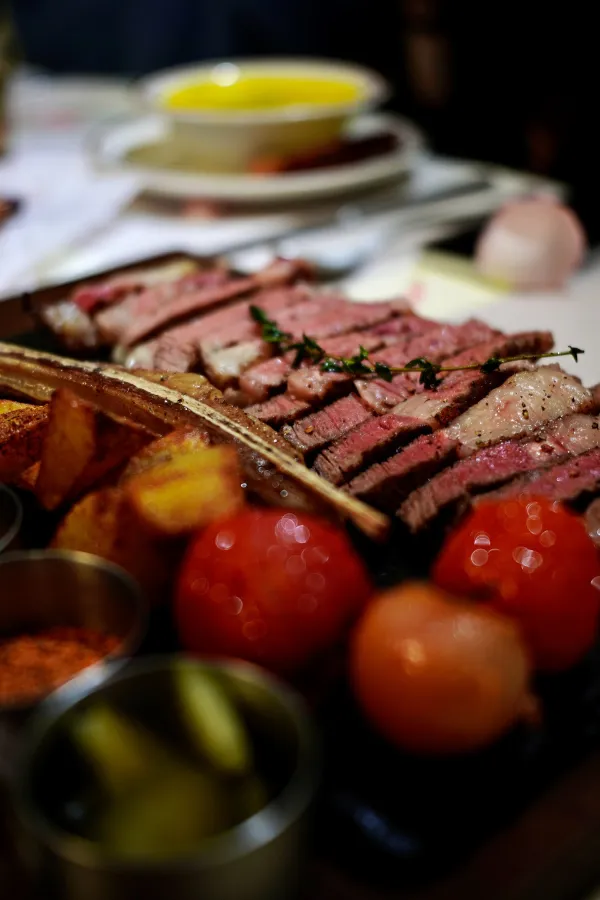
x: 260, y: 859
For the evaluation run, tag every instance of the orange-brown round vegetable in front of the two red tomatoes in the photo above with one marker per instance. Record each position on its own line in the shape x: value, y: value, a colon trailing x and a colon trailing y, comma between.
x: 437, y: 675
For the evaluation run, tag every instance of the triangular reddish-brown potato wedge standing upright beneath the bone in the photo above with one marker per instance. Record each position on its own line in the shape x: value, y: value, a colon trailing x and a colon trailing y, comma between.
x: 81, y: 445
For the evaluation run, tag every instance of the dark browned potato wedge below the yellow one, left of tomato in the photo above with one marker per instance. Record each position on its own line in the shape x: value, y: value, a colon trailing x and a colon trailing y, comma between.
x: 102, y: 523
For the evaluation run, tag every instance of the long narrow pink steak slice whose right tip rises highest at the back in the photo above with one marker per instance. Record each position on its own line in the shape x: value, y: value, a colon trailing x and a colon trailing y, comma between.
x: 143, y: 314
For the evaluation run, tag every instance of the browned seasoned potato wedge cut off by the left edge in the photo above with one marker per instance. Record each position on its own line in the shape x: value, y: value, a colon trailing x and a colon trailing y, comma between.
x: 22, y: 429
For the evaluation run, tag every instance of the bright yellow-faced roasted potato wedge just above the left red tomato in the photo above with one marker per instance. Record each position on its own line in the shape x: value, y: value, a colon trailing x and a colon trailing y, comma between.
x: 187, y: 492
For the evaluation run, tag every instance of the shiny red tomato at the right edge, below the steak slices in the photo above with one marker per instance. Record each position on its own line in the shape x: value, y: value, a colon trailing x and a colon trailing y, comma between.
x: 531, y: 559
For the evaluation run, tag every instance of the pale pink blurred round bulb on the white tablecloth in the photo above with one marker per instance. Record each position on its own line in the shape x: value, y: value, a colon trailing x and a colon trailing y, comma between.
x: 532, y: 244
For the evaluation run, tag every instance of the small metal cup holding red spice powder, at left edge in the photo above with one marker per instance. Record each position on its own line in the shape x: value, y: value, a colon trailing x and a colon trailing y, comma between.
x: 41, y: 589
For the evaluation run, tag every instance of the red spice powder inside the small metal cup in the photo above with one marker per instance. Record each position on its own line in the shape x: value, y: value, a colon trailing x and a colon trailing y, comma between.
x: 35, y: 664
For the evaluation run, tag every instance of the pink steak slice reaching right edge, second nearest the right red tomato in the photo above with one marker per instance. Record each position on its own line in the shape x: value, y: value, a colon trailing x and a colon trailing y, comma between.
x: 493, y: 466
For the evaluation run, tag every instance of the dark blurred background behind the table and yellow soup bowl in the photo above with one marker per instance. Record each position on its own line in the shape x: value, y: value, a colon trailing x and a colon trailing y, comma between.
x: 510, y: 82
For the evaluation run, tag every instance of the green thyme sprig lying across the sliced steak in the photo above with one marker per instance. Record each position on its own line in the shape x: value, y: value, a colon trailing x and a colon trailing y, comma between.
x: 360, y: 365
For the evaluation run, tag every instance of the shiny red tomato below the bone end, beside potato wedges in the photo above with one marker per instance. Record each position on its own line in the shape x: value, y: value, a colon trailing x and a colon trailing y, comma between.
x: 271, y: 587
